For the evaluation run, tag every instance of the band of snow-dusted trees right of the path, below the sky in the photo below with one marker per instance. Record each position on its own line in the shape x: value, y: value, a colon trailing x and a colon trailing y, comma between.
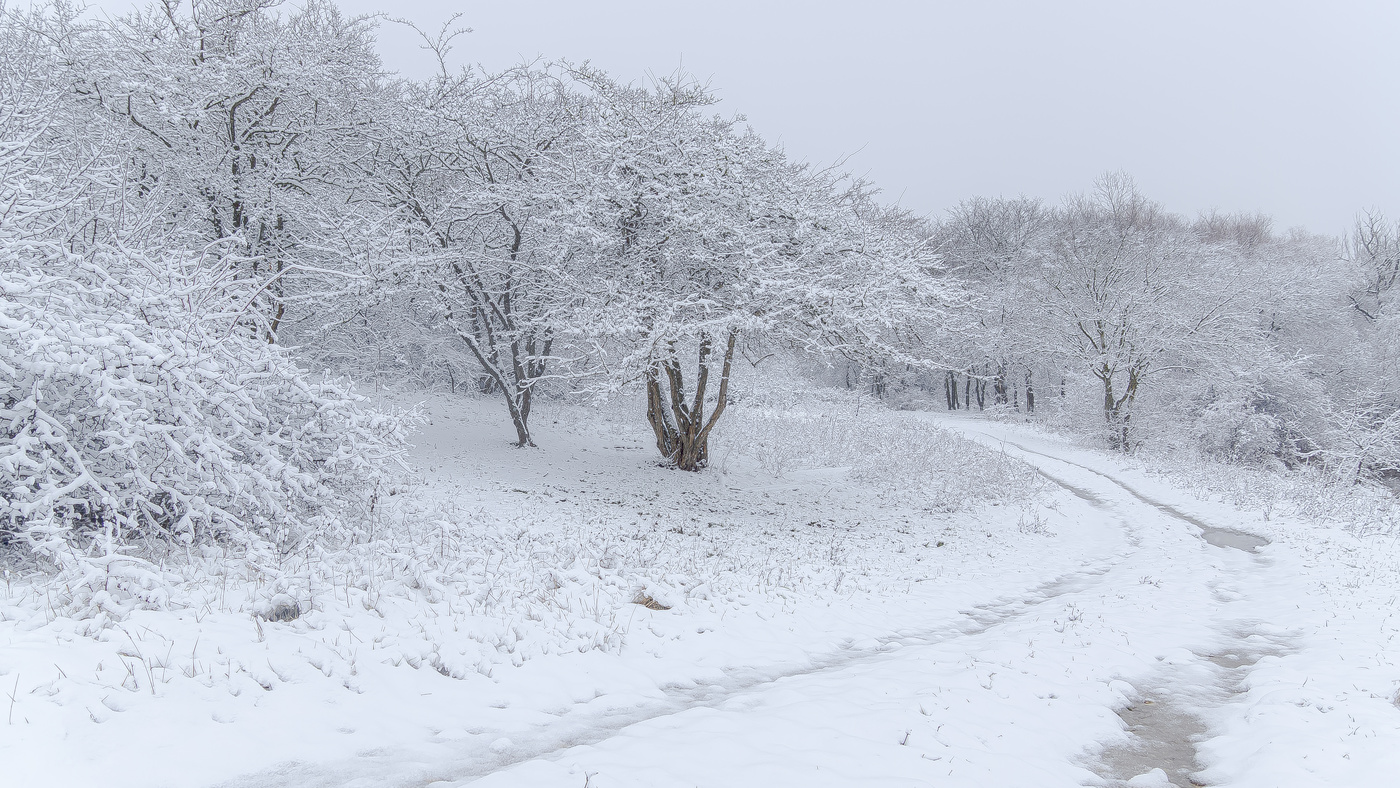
x: 1262, y: 348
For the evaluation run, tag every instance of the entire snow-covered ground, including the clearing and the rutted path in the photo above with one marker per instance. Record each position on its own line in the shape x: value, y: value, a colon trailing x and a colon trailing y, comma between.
x: 579, y: 617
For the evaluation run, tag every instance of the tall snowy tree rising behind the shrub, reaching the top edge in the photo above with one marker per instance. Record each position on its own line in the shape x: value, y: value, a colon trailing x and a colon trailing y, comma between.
x: 243, y: 117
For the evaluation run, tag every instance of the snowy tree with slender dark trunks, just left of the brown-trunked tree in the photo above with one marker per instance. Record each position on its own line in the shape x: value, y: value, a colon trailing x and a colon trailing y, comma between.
x: 478, y: 174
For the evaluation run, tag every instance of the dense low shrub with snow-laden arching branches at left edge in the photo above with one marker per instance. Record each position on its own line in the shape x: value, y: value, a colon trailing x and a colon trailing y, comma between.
x: 134, y: 414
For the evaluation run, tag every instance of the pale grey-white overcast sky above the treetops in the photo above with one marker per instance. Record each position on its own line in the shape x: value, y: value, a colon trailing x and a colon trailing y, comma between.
x: 1283, y: 107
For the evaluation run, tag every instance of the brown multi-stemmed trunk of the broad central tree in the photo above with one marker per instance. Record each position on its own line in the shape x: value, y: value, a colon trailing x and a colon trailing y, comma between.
x: 681, y: 428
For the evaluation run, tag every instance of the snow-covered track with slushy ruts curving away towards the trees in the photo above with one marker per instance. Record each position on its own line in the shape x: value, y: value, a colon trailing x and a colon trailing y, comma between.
x: 993, y: 699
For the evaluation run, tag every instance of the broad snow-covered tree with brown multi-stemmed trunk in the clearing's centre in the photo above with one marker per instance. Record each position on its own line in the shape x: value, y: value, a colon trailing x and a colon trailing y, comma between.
x: 703, y: 237
